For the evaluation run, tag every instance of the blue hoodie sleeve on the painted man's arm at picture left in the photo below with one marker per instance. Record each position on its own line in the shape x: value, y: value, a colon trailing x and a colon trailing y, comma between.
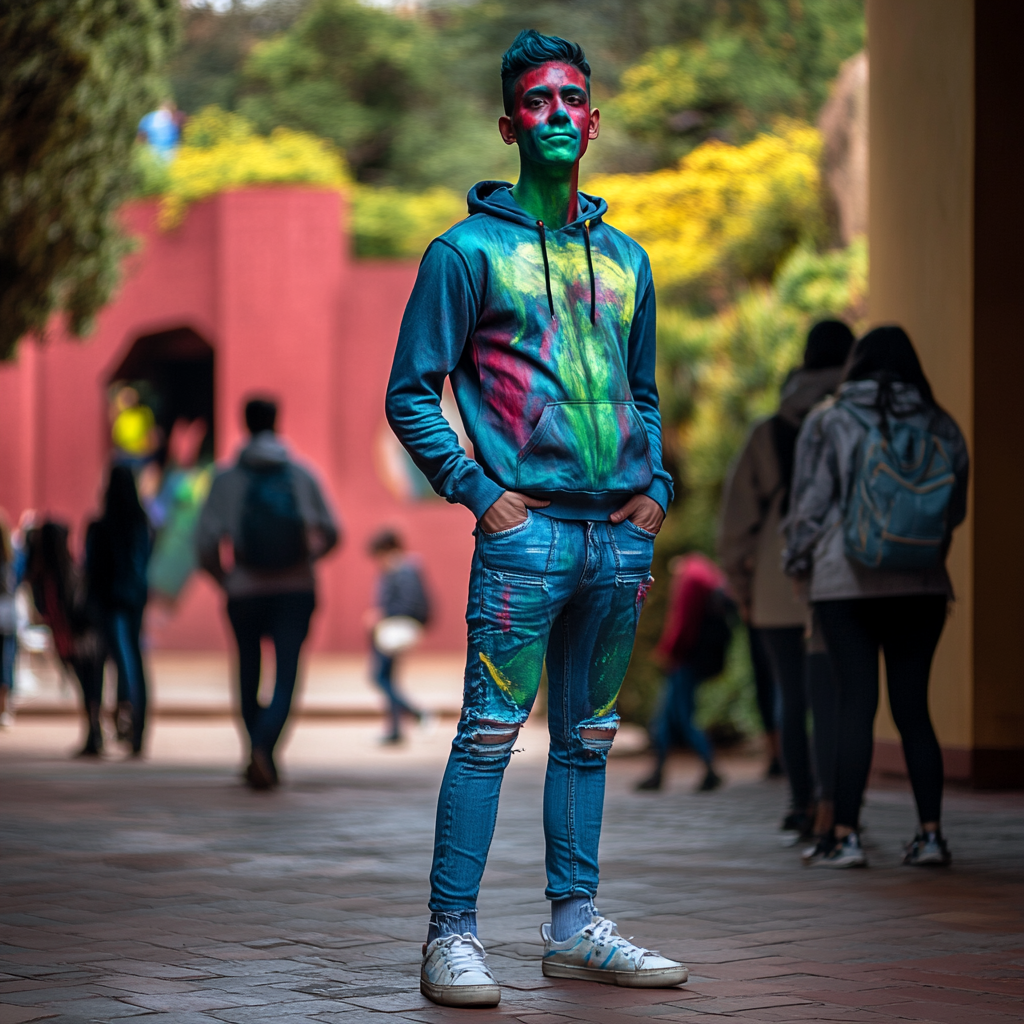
x: 440, y: 318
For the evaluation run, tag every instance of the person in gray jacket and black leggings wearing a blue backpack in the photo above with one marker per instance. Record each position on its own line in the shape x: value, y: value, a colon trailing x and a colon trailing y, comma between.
x: 880, y: 484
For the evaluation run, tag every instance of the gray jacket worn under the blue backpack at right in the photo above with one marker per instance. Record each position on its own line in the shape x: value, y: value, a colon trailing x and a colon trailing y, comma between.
x: 826, y: 464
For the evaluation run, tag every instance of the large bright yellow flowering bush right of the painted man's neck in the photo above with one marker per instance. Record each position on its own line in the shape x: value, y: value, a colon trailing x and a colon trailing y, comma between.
x: 726, y: 212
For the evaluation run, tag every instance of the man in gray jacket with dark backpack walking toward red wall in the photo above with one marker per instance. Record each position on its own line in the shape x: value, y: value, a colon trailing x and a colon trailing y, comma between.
x: 269, y: 515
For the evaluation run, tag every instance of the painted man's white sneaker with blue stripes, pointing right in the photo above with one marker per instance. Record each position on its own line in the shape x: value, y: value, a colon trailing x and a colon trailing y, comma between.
x: 601, y: 954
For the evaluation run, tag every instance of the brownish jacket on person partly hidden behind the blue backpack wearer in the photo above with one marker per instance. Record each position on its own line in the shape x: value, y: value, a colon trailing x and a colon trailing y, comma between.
x: 750, y: 538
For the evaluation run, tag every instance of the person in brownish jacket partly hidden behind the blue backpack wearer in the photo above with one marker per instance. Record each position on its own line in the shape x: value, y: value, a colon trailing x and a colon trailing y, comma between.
x: 751, y: 543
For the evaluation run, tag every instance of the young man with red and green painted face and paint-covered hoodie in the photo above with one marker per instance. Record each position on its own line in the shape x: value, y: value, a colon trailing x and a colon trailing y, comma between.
x: 543, y: 317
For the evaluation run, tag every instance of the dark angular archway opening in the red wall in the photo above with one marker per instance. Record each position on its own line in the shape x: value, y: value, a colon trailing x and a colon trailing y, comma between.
x: 174, y: 374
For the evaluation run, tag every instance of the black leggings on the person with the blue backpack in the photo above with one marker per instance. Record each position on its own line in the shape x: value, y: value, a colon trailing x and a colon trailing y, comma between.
x: 908, y: 630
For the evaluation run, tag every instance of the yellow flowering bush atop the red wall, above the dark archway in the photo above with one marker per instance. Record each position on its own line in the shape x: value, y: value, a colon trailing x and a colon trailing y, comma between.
x: 223, y: 151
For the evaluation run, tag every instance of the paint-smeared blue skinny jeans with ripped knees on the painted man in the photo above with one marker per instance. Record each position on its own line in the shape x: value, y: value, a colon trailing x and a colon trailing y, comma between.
x: 569, y: 593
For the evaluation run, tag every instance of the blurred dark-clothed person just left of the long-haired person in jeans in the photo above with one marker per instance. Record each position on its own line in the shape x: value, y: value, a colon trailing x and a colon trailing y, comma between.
x: 62, y: 598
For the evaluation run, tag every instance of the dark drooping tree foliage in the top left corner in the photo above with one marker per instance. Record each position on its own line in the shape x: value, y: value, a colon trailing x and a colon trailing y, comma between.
x: 76, y: 77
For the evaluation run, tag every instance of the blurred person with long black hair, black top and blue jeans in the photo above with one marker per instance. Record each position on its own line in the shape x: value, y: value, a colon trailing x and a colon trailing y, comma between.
x: 117, y: 558
